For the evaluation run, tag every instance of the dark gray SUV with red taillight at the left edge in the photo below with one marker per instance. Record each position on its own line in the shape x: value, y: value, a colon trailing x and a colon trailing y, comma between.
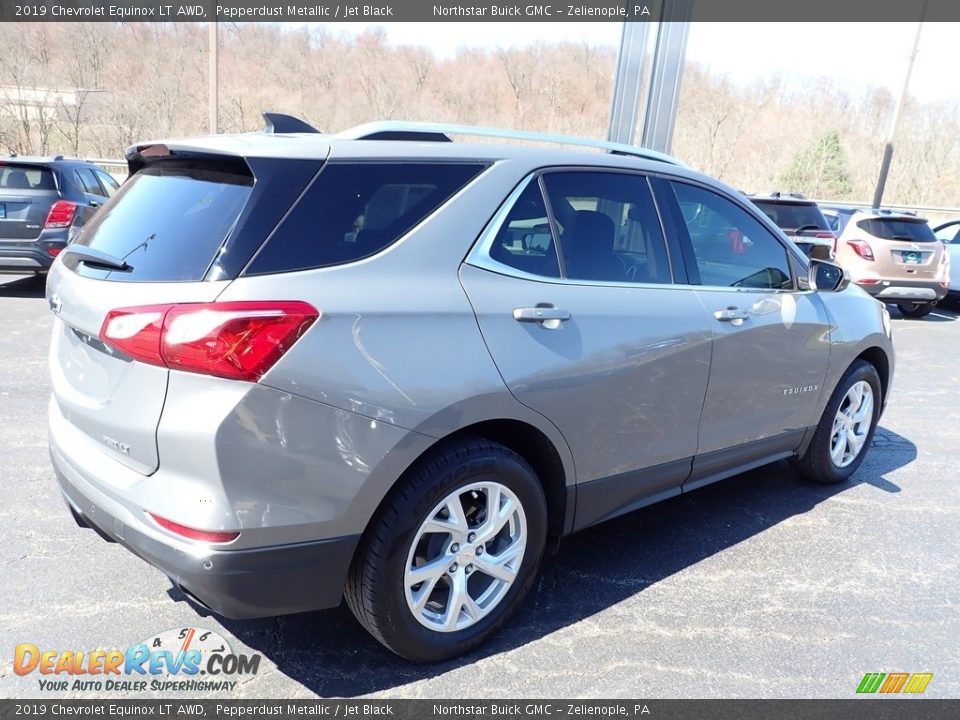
x: 43, y: 201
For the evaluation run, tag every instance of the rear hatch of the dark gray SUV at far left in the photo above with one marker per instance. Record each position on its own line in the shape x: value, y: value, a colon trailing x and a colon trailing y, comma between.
x: 27, y: 191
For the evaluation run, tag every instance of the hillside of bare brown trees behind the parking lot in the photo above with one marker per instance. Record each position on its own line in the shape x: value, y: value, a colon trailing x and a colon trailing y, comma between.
x: 94, y: 88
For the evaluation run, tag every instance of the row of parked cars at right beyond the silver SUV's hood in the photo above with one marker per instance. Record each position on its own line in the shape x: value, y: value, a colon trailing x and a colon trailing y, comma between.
x: 892, y: 255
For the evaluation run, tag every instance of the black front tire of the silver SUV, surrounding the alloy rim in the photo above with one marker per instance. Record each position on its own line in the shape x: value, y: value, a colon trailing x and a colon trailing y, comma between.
x: 816, y: 463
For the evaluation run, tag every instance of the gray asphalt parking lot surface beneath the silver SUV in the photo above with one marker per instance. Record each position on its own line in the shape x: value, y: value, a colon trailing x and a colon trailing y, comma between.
x: 759, y: 586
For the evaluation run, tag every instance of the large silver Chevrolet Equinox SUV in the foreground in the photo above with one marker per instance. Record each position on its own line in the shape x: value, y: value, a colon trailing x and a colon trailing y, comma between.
x: 293, y: 367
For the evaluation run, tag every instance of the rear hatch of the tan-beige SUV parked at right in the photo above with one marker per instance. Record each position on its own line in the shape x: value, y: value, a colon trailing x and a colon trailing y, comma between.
x: 908, y: 250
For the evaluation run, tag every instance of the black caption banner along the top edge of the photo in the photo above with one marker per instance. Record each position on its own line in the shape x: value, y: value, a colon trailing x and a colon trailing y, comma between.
x: 466, y: 10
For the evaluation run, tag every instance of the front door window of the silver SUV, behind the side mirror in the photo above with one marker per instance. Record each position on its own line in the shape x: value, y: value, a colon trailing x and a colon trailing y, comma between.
x: 732, y: 248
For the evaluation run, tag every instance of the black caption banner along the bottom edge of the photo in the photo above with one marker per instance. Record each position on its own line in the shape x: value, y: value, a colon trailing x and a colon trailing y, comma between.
x: 853, y: 709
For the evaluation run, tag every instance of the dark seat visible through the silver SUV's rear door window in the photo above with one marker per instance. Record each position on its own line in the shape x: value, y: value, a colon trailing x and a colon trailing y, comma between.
x: 588, y: 243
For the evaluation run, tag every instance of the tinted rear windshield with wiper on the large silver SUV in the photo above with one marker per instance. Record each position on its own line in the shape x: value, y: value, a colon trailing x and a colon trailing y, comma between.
x: 168, y: 221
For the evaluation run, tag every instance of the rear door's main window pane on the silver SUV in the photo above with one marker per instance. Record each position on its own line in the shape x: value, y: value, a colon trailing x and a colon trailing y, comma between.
x: 609, y: 227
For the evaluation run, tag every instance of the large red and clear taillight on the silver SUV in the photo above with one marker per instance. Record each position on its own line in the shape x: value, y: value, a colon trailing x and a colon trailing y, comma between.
x: 236, y: 340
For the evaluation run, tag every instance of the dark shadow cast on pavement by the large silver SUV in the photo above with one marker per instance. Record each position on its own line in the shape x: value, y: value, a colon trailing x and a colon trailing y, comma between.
x: 331, y: 655
